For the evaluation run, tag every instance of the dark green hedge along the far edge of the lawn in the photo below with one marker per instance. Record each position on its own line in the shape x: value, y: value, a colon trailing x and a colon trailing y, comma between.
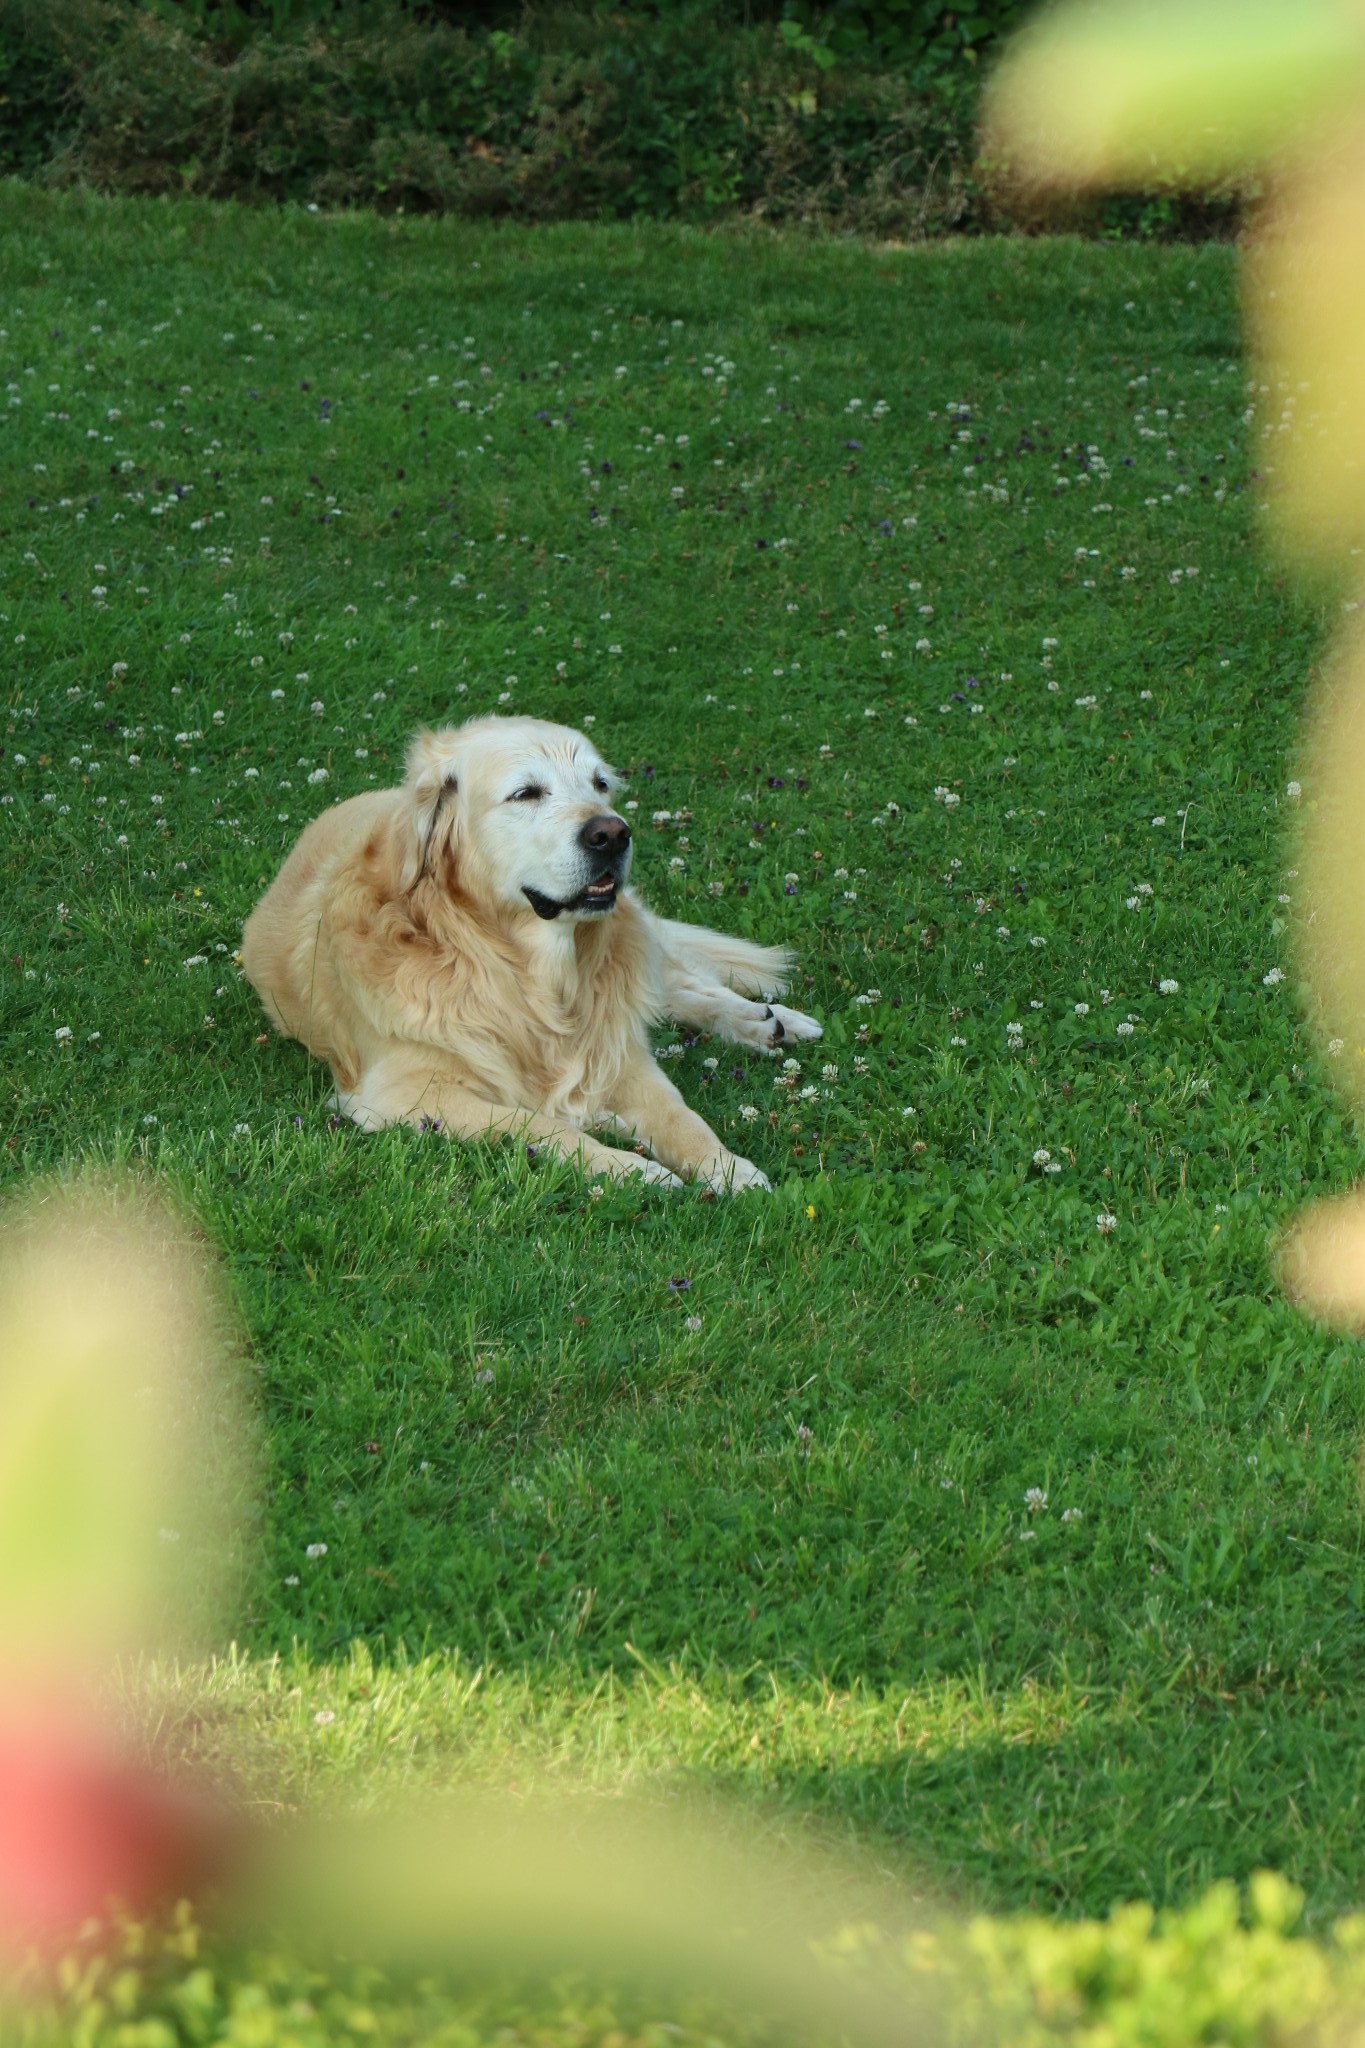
x: 678, y: 114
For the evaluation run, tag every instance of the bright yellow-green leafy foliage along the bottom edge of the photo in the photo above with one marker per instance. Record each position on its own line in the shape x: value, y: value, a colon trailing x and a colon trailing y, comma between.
x: 1227, y: 1969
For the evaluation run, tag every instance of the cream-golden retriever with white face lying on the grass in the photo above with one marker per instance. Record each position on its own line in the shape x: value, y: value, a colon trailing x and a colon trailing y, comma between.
x: 464, y: 951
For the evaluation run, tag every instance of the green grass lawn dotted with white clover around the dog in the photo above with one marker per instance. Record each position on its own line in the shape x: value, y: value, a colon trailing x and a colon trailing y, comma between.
x: 975, y: 1492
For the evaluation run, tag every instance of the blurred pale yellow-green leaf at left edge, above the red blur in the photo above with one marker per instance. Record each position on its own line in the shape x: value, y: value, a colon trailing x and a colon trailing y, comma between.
x: 122, y: 1449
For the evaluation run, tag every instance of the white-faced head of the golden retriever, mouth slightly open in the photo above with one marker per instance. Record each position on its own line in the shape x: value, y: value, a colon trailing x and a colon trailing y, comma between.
x: 521, y: 812
